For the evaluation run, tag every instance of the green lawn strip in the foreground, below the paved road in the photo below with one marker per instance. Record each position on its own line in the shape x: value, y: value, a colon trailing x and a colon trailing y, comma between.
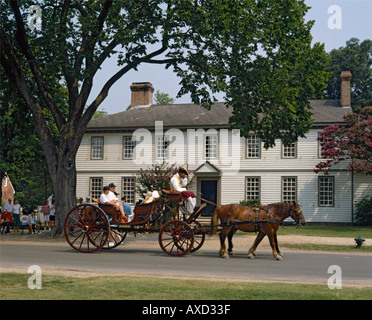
x: 14, y: 286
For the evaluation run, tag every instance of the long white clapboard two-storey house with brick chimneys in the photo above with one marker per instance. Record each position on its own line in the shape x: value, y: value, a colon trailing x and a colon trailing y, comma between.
x: 229, y: 168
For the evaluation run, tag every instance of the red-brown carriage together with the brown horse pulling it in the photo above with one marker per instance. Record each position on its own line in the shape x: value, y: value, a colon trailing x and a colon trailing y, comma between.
x: 90, y: 227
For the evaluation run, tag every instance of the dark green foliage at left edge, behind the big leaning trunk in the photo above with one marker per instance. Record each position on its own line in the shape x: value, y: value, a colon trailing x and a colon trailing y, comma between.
x: 21, y: 155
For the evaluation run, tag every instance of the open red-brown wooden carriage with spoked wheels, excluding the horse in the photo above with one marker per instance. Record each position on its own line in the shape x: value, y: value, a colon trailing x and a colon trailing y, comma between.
x: 90, y: 227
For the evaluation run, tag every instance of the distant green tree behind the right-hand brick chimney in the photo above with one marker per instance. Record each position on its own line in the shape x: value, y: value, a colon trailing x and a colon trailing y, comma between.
x: 356, y: 57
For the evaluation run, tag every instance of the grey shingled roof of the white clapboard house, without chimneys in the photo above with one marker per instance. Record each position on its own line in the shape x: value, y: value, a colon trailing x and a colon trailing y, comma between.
x: 192, y: 116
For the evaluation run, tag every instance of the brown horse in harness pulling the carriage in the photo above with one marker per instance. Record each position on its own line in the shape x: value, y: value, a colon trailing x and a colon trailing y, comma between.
x: 264, y: 220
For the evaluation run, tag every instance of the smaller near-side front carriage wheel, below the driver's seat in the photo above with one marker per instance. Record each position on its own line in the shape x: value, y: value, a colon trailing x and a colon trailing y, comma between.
x: 176, y: 238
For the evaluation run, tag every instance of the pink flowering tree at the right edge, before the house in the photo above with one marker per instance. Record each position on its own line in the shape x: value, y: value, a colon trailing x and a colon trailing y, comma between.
x: 352, y: 142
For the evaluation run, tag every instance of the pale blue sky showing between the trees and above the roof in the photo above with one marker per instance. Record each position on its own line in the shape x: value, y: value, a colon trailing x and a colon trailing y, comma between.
x: 336, y: 21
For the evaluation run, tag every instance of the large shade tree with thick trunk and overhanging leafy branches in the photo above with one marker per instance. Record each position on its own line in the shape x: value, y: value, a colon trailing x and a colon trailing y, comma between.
x: 258, y: 52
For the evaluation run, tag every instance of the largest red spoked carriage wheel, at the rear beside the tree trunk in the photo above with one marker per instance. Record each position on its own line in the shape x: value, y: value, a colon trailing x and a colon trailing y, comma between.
x: 86, y: 228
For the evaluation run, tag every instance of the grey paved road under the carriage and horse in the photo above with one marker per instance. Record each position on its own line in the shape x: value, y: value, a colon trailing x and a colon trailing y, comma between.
x: 297, y: 266
